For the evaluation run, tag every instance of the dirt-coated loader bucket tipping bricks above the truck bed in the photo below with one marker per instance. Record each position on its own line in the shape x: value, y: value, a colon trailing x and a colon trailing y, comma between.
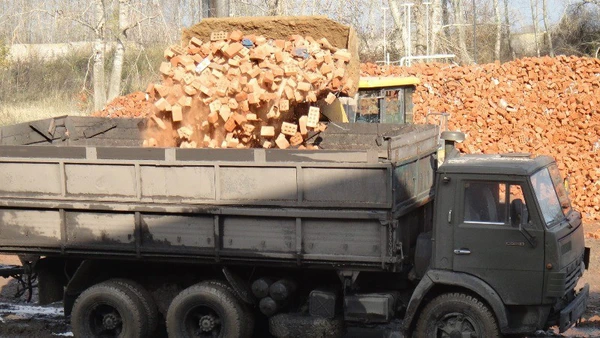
x: 282, y: 27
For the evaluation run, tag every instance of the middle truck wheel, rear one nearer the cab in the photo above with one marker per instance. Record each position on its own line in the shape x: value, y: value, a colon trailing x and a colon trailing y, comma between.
x: 208, y: 310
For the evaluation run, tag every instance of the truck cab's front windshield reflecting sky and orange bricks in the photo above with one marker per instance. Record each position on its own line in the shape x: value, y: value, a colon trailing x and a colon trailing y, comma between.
x: 551, y: 195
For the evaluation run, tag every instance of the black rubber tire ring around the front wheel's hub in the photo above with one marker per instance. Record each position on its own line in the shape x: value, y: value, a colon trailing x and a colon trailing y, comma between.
x: 490, y: 325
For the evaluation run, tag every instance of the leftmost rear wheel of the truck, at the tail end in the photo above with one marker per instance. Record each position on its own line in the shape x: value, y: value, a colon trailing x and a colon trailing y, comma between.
x: 108, y: 310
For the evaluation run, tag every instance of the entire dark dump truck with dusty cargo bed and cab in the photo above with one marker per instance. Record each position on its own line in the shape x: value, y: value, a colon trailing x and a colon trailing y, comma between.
x: 367, y: 235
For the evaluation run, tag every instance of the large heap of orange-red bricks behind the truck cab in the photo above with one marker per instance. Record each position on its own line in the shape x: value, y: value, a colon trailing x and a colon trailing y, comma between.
x: 535, y: 105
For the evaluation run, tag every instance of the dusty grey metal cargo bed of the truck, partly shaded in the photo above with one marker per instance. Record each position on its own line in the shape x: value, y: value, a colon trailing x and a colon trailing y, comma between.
x: 76, y: 196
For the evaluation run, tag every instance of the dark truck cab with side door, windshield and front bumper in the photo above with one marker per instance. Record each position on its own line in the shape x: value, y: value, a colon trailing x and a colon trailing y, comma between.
x: 505, y: 232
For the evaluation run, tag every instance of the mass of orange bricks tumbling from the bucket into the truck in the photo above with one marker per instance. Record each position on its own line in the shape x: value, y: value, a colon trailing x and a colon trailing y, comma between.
x: 238, y: 91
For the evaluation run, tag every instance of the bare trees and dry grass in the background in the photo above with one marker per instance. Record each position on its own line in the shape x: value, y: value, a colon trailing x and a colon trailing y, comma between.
x: 62, y: 57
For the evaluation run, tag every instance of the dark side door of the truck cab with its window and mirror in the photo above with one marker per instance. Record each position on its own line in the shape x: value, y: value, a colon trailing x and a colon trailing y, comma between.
x: 495, y: 240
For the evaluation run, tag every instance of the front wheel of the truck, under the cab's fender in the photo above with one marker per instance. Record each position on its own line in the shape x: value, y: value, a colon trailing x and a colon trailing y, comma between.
x: 456, y: 315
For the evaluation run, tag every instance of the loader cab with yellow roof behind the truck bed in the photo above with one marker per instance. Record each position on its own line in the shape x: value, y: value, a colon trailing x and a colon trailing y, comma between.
x: 378, y: 100
